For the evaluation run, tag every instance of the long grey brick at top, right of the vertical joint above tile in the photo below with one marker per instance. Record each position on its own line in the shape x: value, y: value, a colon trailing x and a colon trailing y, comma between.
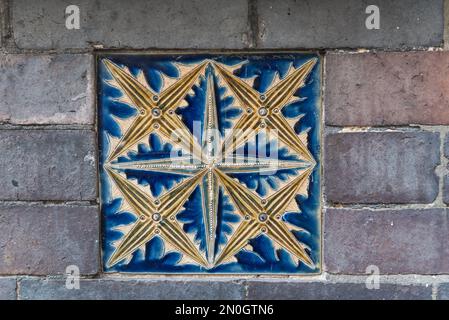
x: 341, y: 24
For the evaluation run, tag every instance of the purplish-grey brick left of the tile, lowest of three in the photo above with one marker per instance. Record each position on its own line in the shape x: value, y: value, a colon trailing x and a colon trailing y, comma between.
x: 45, y: 239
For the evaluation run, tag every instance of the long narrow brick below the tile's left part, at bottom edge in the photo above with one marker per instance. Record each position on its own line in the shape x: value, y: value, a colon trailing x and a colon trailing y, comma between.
x: 132, y: 289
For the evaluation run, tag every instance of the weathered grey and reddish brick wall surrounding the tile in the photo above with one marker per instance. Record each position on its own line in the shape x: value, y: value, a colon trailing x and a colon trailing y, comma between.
x: 385, y: 141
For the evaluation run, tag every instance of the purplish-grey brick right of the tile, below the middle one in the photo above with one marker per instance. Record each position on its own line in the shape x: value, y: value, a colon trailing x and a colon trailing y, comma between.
x: 397, y: 241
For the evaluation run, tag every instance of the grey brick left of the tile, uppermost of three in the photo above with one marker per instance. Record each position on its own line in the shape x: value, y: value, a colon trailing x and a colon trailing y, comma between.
x: 46, y: 89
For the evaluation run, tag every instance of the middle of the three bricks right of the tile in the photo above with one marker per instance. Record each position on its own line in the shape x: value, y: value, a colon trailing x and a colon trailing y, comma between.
x: 381, y: 167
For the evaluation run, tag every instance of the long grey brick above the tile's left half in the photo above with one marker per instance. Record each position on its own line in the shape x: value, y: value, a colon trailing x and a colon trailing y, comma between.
x: 132, y: 24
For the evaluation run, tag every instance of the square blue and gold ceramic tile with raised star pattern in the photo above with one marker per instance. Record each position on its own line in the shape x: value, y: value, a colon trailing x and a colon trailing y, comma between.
x: 210, y: 164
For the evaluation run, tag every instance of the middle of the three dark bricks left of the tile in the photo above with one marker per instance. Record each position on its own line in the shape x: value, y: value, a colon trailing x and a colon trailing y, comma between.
x: 47, y: 165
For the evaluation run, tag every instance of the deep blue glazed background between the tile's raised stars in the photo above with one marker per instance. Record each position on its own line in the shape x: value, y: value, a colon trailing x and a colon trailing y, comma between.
x: 264, y: 258
